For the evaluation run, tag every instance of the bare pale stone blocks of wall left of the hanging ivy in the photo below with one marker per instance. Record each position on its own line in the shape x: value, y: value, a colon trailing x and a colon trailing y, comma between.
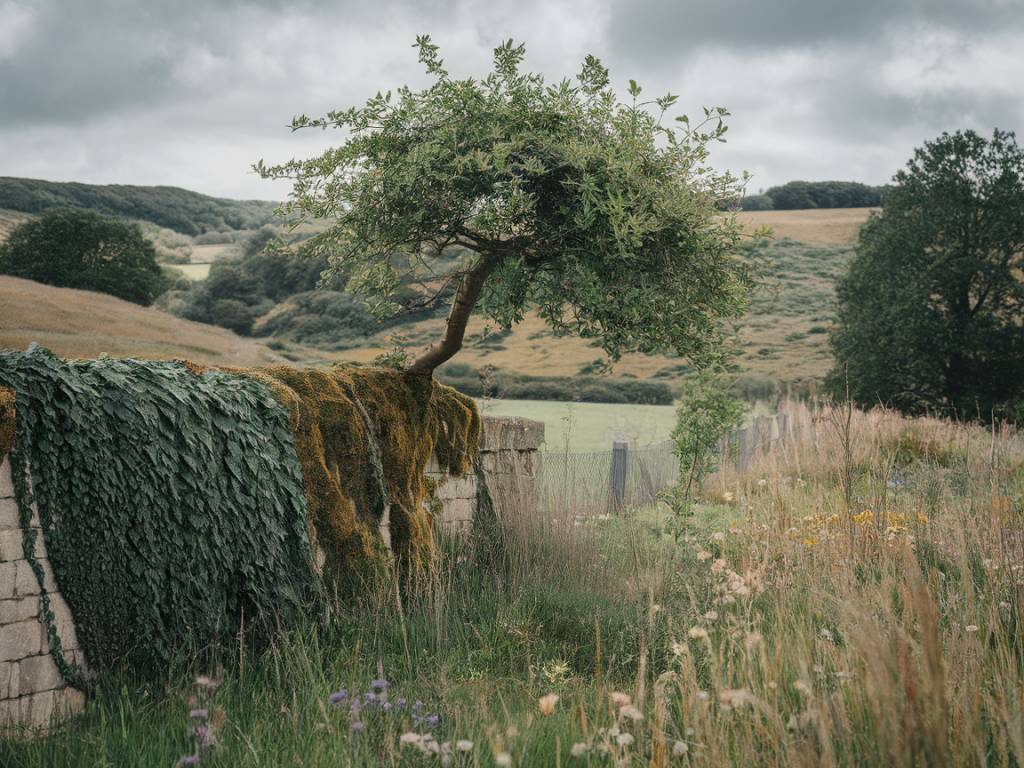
x: 32, y: 690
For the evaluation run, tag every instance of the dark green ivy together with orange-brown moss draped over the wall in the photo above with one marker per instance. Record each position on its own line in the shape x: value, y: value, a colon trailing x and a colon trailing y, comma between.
x: 177, y: 500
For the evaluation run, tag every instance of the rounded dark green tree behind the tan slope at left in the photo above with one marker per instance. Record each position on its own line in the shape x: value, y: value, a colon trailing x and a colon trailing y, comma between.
x: 75, y: 248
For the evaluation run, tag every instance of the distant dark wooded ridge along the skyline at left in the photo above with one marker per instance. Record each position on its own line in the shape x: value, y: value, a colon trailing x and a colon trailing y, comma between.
x: 182, y: 210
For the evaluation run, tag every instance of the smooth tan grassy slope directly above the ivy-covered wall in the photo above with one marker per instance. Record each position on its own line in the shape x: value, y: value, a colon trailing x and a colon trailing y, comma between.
x: 82, y: 324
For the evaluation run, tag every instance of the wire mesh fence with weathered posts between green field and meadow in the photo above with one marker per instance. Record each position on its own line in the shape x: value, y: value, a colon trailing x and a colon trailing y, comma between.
x: 625, y: 478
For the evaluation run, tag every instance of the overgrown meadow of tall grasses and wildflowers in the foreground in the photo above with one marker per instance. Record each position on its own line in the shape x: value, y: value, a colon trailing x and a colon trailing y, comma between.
x: 852, y: 599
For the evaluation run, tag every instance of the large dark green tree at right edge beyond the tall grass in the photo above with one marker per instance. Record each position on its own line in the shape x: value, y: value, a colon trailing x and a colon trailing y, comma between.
x: 931, y: 313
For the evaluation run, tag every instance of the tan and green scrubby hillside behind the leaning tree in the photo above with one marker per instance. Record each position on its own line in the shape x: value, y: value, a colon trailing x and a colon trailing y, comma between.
x: 784, y: 337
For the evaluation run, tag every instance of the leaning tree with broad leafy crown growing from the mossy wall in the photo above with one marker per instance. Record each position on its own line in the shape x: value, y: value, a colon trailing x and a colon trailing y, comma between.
x: 510, y: 195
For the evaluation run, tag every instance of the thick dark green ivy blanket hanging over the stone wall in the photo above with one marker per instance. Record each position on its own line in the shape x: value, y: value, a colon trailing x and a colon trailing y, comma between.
x: 173, y: 504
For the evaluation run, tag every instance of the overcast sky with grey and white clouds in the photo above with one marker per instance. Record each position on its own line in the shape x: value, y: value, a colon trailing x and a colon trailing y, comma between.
x: 192, y: 93
